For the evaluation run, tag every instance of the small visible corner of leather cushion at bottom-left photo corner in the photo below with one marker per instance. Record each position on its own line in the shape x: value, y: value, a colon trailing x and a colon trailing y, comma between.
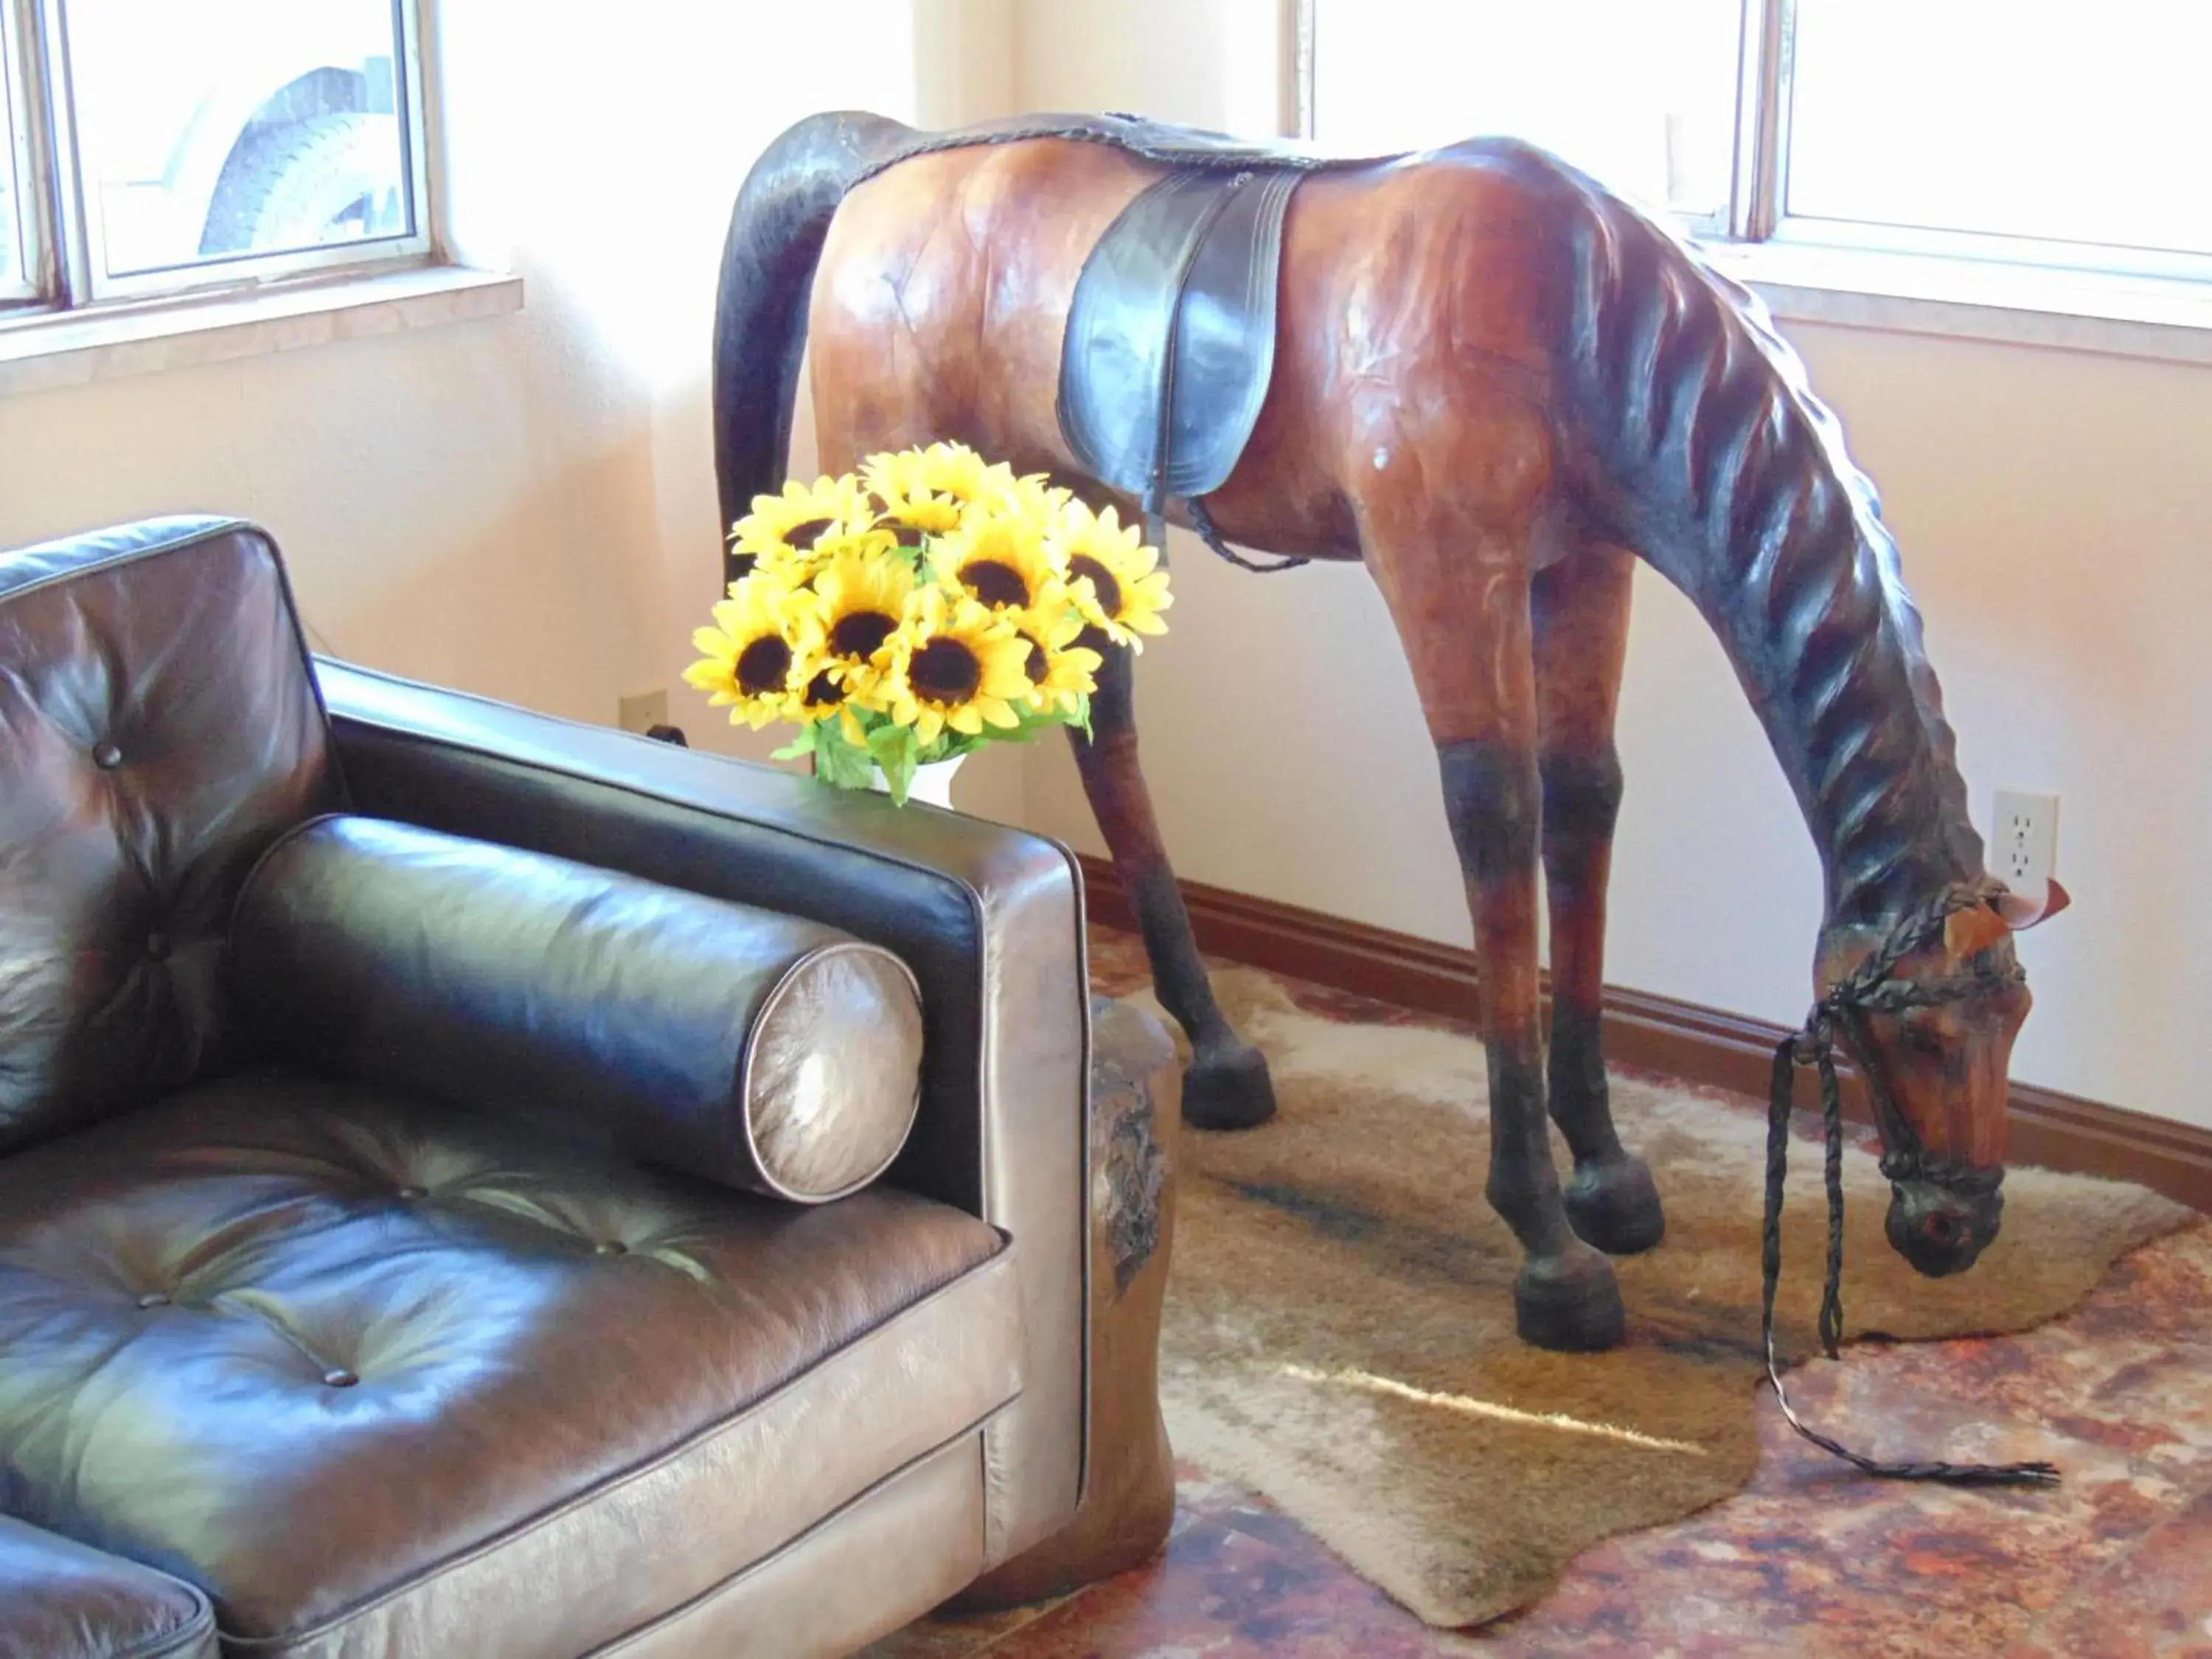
x: 61, y: 1600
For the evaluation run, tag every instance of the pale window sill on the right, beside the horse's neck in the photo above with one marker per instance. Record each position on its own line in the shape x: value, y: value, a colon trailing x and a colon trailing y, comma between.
x: 1976, y: 300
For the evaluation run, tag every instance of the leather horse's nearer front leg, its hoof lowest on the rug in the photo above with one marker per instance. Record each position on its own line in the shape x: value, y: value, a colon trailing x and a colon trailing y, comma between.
x: 1465, y: 620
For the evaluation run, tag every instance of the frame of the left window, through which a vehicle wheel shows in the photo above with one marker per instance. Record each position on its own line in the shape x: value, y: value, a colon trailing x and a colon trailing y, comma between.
x: 70, y: 273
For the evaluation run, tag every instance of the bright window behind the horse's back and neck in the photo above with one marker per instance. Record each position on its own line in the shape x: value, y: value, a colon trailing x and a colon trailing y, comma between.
x: 1972, y: 129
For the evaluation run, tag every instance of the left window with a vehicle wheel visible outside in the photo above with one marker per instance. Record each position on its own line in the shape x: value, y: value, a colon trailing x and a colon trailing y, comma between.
x: 165, y: 147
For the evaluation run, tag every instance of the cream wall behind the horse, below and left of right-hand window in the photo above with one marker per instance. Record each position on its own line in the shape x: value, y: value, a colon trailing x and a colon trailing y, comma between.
x: 2056, y: 519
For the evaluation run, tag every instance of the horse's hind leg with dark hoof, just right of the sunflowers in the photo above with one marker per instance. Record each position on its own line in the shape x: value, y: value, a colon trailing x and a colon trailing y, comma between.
x: 1227, y: 1085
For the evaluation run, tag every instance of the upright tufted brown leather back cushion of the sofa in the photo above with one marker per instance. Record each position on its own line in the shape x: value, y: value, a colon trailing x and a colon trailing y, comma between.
x: 158, y: 729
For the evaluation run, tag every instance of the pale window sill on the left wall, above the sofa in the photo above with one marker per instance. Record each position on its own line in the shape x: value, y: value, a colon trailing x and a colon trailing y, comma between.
x: 79, y: 348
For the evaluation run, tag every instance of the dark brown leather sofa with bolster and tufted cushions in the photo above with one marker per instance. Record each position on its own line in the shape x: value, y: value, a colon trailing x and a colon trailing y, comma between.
x: 371, y: 1288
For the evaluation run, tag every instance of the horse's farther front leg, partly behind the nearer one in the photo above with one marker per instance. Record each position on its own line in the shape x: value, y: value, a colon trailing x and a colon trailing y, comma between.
x: 1580, y: 618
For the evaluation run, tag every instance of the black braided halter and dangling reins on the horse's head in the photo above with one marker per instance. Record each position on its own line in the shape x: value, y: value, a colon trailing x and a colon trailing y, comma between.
x: 1872, y: 988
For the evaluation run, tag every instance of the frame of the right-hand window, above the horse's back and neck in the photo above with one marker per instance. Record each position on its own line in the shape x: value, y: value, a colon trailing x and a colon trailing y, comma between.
x: 1760, y: 218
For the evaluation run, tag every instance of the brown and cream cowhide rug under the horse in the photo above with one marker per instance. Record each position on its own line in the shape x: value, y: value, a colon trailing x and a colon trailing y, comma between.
x: 1339, y: 1326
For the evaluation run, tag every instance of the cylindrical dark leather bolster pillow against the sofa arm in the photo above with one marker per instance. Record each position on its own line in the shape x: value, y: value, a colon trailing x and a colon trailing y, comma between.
x: 722, y: 1041
